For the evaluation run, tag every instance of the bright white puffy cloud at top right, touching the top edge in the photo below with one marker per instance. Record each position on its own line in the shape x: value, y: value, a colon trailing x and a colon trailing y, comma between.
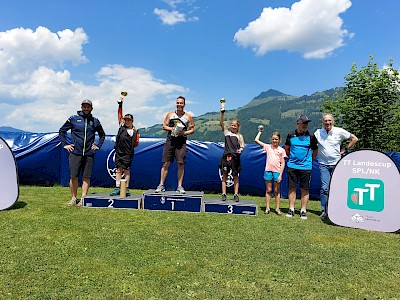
x: 311, y: 27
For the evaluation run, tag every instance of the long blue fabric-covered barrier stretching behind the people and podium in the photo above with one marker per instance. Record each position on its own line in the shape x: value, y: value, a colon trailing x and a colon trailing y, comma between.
x: 42, y: 161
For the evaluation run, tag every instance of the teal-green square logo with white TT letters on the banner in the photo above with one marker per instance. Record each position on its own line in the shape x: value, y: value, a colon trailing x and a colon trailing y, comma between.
x: 365, y: 194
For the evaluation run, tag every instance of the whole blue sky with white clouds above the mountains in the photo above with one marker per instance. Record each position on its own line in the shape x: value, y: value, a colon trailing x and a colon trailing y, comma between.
x: 53, y: 54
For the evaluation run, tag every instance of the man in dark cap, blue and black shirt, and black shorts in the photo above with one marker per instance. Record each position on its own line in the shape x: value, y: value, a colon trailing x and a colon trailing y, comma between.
x: 301, y: 149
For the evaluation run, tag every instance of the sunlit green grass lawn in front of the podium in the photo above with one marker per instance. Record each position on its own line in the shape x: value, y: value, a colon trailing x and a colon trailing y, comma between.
x: 51, y: 251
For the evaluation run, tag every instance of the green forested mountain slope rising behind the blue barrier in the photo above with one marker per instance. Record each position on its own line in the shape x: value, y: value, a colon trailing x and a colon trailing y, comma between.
x: 275, y: 110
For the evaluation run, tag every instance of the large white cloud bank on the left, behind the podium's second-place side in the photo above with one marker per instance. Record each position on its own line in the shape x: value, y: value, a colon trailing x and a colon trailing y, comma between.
x: 41, y: 96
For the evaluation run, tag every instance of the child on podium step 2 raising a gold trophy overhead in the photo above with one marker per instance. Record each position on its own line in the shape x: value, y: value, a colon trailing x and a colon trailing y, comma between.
x: 126, y: 141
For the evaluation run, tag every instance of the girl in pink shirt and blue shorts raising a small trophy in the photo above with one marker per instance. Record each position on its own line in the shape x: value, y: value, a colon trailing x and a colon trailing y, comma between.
x: 274, y: 166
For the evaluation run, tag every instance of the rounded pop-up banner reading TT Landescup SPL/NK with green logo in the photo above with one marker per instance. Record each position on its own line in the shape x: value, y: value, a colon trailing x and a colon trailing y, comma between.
x: 364, y: 192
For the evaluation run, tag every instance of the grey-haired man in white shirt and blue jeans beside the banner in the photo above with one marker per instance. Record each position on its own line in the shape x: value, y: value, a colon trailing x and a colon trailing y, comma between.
x: 329, y: 153
